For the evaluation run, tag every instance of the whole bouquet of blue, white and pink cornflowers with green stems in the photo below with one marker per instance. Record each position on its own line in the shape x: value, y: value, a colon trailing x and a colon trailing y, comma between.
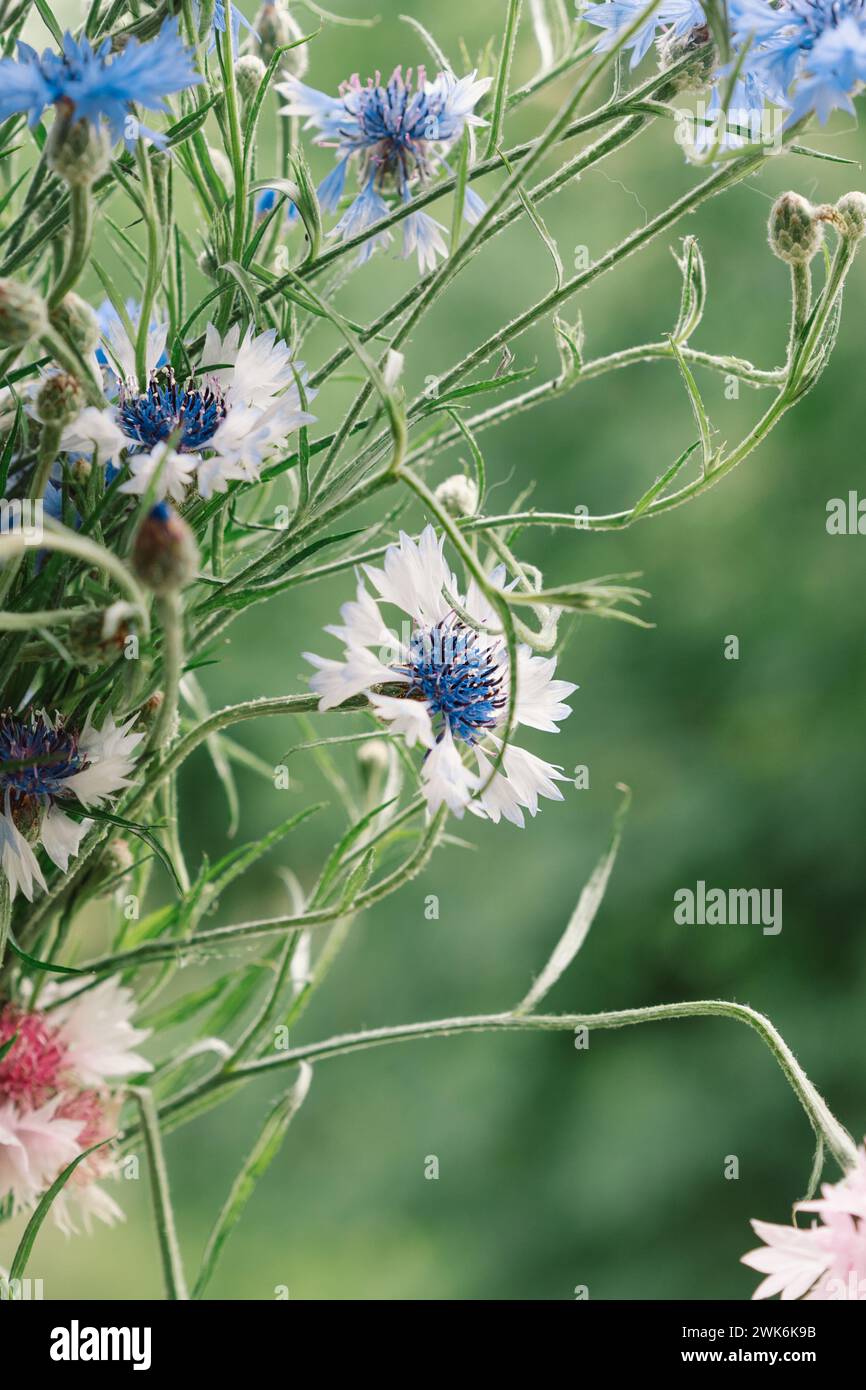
x: 177, y: 447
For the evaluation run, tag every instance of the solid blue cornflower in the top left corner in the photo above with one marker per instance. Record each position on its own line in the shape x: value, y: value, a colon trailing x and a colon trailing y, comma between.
x: 94, y: 84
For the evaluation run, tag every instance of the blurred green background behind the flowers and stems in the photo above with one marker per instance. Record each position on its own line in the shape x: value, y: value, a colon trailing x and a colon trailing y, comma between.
x: 562, y: 1168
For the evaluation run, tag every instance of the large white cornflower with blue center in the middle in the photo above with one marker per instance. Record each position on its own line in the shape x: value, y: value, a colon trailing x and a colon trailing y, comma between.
x: 446, y: 683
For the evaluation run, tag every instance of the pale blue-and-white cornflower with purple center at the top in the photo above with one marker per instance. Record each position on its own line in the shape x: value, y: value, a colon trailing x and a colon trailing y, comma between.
x: 397, y: 137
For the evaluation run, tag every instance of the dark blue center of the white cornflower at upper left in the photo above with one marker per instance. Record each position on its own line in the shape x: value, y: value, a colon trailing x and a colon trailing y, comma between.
x: 193, y: 415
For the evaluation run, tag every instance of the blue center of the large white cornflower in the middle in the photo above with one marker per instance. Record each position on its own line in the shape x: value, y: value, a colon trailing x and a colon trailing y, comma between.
x: 458, y: 678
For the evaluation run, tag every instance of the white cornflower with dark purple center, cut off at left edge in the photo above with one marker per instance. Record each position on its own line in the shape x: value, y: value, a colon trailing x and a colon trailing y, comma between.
x: 47, y: 765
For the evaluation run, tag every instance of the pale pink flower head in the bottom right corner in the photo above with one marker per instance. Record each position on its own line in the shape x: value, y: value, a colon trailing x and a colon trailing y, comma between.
x: 825, y: 1261
